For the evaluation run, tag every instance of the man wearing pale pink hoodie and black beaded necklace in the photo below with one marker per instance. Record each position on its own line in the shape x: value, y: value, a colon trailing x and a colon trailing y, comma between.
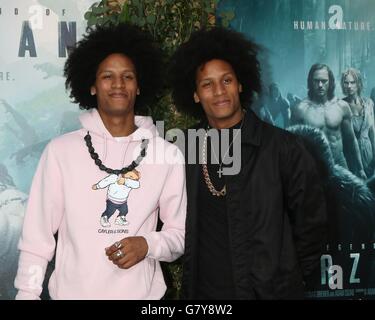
x: 114, y: 73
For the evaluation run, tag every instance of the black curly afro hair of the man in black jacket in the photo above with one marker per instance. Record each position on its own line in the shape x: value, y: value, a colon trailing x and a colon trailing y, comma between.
x: 205, y: 45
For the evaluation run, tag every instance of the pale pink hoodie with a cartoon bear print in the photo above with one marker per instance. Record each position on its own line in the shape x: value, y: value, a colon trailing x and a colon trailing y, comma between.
x: 62, y: 199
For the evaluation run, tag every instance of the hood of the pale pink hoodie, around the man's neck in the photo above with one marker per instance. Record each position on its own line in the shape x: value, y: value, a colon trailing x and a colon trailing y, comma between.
x: 91, y: 121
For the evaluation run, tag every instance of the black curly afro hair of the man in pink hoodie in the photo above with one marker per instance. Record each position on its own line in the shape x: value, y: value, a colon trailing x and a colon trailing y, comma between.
x: 83, y: 62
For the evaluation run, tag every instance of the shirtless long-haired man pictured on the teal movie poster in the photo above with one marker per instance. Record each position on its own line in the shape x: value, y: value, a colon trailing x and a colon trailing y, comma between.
x: 333, y: 116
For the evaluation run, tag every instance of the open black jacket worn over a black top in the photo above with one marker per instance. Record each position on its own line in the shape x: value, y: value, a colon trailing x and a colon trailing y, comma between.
x: 276, y: 211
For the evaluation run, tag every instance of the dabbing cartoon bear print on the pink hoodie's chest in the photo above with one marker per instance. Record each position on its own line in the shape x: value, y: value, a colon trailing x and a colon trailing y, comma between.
x: 119, y: 187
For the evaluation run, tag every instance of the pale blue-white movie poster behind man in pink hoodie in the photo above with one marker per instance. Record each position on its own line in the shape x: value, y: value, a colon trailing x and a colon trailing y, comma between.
x: 34, y: 106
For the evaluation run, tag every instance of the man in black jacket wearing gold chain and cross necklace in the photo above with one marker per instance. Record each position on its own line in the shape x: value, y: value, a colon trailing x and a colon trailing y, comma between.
x: 255, y: 232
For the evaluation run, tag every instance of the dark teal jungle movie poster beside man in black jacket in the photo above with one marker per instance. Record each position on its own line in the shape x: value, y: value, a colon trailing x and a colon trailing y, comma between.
x: 294, y: 35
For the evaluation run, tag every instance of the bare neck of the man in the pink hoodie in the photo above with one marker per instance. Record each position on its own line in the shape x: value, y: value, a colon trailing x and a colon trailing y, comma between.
x: 118, y: 126
